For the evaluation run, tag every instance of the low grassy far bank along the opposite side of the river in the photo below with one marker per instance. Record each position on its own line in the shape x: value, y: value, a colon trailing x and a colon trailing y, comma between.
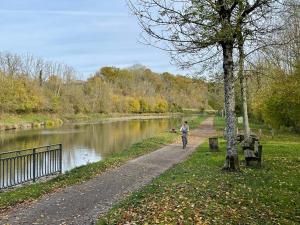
x: 31, y: 121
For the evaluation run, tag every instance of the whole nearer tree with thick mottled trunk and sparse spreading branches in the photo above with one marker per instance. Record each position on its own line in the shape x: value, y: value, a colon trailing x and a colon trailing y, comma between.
x: 198, y: 31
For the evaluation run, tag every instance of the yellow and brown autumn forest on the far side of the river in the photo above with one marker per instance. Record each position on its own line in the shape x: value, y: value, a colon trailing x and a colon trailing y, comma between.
x: 30, y: 84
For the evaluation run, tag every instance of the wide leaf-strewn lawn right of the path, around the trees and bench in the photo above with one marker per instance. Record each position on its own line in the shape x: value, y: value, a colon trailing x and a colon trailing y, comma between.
x: 198, y: 192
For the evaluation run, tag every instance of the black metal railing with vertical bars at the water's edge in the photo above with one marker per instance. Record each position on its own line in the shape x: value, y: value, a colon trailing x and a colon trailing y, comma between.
x: 17, y: 167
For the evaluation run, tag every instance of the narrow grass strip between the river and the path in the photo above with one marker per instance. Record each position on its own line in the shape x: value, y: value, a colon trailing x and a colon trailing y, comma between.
x: 83, y: 173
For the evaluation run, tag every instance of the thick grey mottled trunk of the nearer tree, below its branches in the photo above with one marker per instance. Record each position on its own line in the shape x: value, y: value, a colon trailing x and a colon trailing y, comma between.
x: 232, y: 162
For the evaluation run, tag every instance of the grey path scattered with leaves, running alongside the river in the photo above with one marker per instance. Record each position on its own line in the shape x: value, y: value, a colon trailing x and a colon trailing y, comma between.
x: 83, y: 203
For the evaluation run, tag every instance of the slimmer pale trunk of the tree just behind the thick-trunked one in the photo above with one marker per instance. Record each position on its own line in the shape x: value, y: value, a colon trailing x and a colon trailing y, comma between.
x: 243, y: 90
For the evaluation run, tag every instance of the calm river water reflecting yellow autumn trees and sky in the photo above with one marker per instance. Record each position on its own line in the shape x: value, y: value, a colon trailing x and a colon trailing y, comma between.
x: 86, y: 143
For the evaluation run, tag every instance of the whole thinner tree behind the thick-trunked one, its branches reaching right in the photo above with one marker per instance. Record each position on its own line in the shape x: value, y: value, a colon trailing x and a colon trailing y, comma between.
x: 260, y: 31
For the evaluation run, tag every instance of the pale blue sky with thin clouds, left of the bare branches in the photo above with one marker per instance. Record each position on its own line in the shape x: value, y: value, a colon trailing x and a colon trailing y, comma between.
x: 85, y: 34
